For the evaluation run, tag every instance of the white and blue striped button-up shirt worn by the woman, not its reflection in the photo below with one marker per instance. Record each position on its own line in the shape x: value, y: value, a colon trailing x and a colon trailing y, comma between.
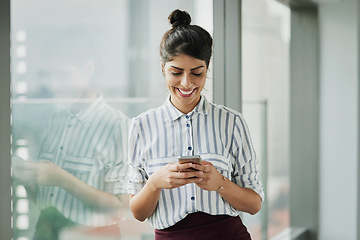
x: 218, y: 134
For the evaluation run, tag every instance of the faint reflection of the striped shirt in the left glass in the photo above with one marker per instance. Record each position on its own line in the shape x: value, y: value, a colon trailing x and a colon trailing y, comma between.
x: 91, y: 146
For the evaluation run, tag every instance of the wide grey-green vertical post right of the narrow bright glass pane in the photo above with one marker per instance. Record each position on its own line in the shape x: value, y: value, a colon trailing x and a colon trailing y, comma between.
x: 304, y: 123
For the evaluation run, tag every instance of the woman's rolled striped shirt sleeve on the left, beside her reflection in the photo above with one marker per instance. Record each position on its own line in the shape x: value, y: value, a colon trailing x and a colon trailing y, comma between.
x: 137, y: 174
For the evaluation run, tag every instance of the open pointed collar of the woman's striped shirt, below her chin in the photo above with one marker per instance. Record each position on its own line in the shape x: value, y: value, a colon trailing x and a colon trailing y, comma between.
x: 173, y: 113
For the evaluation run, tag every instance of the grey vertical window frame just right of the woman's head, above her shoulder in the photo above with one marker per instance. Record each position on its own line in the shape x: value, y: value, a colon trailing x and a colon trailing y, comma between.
x: 227, y: 53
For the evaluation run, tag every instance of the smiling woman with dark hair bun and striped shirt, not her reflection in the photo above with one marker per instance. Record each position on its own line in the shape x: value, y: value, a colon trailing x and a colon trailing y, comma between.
x: 188, y: 200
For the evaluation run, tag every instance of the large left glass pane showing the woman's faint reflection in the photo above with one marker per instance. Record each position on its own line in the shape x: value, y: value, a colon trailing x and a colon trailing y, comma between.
x: 80, y: 69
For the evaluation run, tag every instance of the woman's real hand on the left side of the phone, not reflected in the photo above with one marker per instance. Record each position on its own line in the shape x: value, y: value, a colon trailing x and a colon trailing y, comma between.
x: 174, y: 175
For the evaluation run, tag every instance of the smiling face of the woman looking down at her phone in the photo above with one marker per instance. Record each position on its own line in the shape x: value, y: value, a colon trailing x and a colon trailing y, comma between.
x: 185, y: 77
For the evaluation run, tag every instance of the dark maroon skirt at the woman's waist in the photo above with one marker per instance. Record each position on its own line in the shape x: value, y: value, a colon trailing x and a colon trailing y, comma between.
x: 204, y: 226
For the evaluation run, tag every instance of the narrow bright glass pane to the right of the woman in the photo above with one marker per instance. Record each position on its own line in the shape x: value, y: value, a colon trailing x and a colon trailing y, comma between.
x: 265, y: 49
